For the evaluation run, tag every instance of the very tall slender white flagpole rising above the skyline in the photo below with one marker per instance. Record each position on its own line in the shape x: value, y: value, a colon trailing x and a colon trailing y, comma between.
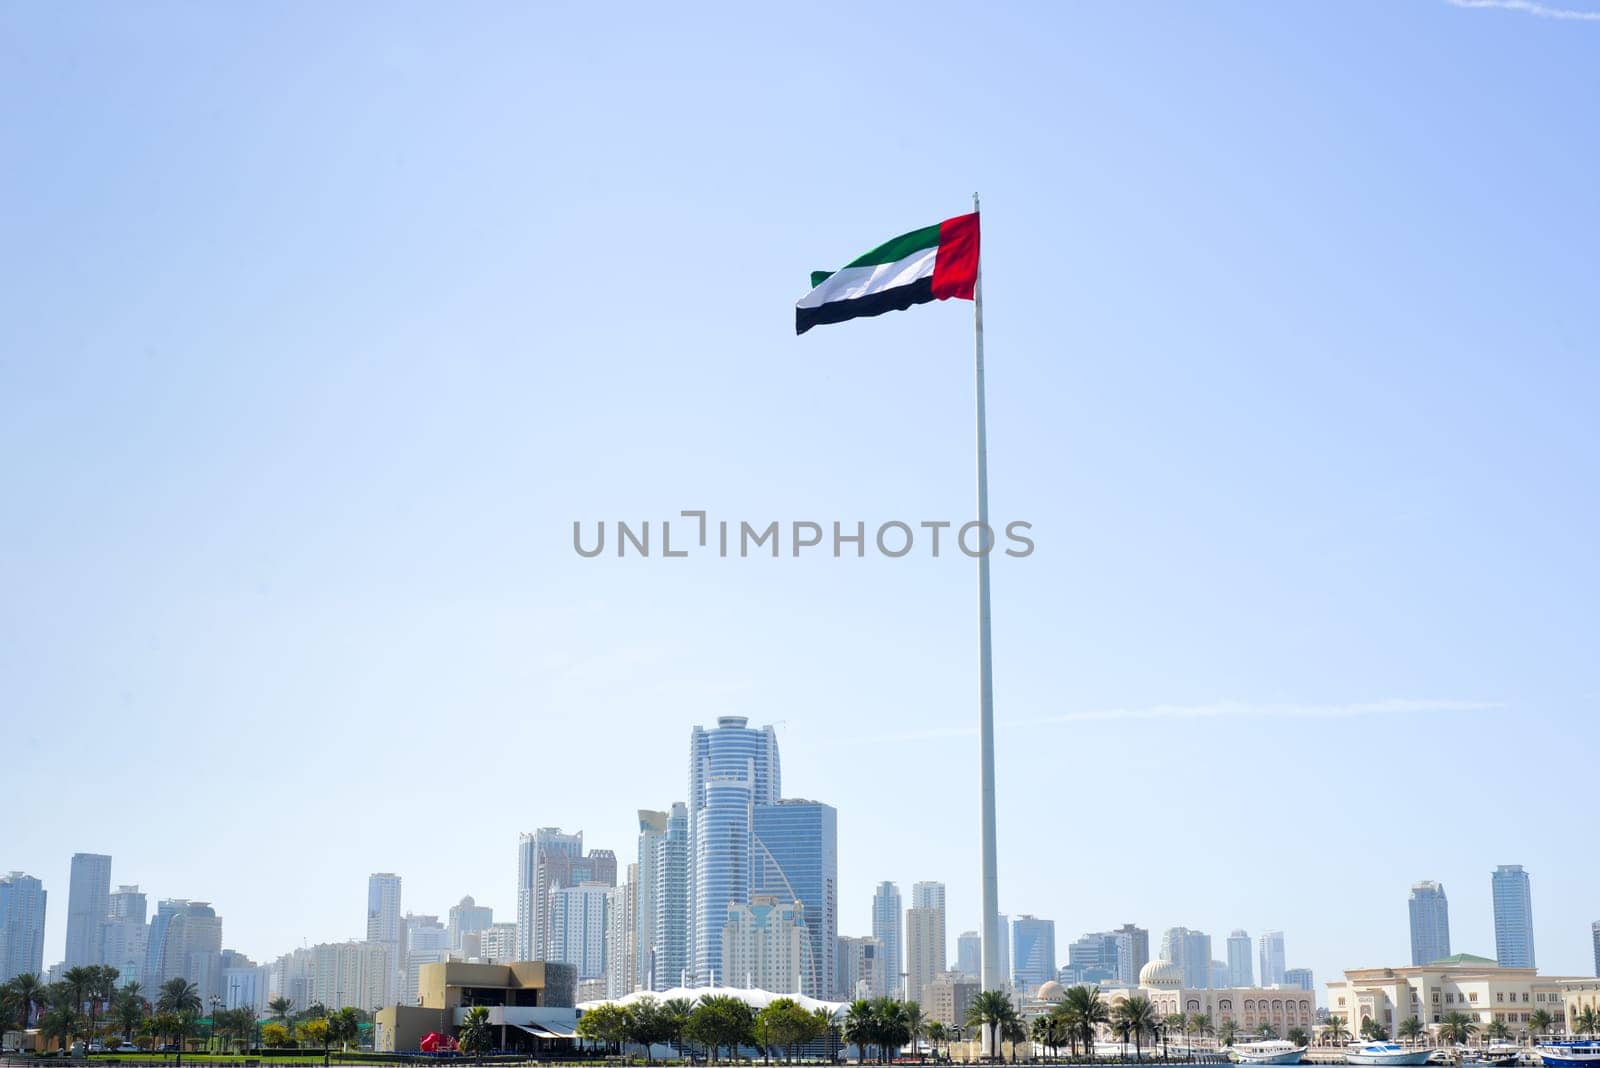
x: 986, y: 698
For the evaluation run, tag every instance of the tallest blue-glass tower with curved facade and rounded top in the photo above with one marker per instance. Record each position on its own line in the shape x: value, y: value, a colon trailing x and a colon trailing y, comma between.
x: 732, y: 770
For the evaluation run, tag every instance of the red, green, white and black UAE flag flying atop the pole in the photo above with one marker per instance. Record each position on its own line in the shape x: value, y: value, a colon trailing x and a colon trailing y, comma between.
x: 932, y: 265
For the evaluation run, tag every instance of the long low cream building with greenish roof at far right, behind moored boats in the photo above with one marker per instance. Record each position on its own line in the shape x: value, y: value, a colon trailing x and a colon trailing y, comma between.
x: 1466, y: 984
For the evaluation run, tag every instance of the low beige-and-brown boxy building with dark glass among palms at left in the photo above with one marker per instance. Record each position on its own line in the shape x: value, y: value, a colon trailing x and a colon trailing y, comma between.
x: 530, y: 1006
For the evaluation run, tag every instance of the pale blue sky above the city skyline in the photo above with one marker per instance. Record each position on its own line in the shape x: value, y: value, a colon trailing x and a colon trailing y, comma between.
x: 326, y: 324
